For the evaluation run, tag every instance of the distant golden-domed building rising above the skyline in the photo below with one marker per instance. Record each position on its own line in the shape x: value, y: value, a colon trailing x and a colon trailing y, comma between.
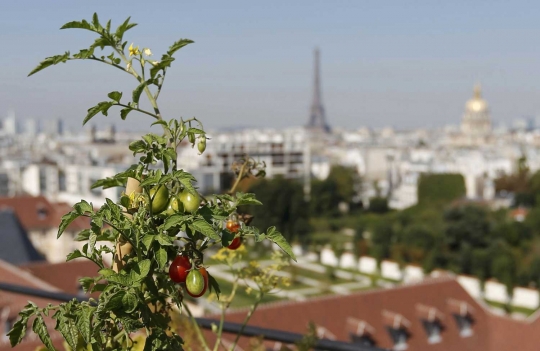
x: 476, y: 121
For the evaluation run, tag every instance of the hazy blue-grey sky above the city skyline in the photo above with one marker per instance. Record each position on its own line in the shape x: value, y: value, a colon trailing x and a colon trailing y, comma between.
x: 384, y: 63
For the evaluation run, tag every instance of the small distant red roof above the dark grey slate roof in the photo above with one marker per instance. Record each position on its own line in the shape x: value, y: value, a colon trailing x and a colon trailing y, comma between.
x: 37, y: 213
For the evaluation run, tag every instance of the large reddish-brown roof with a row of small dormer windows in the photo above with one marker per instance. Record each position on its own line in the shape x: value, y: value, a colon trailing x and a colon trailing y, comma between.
x: 409, y: 305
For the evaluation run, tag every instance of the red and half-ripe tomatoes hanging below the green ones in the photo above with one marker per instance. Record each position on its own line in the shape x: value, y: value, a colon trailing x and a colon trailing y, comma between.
x: 195, y: 278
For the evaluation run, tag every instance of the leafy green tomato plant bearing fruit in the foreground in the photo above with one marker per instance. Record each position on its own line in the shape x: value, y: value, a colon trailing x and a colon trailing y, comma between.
x: 158, y: 231
